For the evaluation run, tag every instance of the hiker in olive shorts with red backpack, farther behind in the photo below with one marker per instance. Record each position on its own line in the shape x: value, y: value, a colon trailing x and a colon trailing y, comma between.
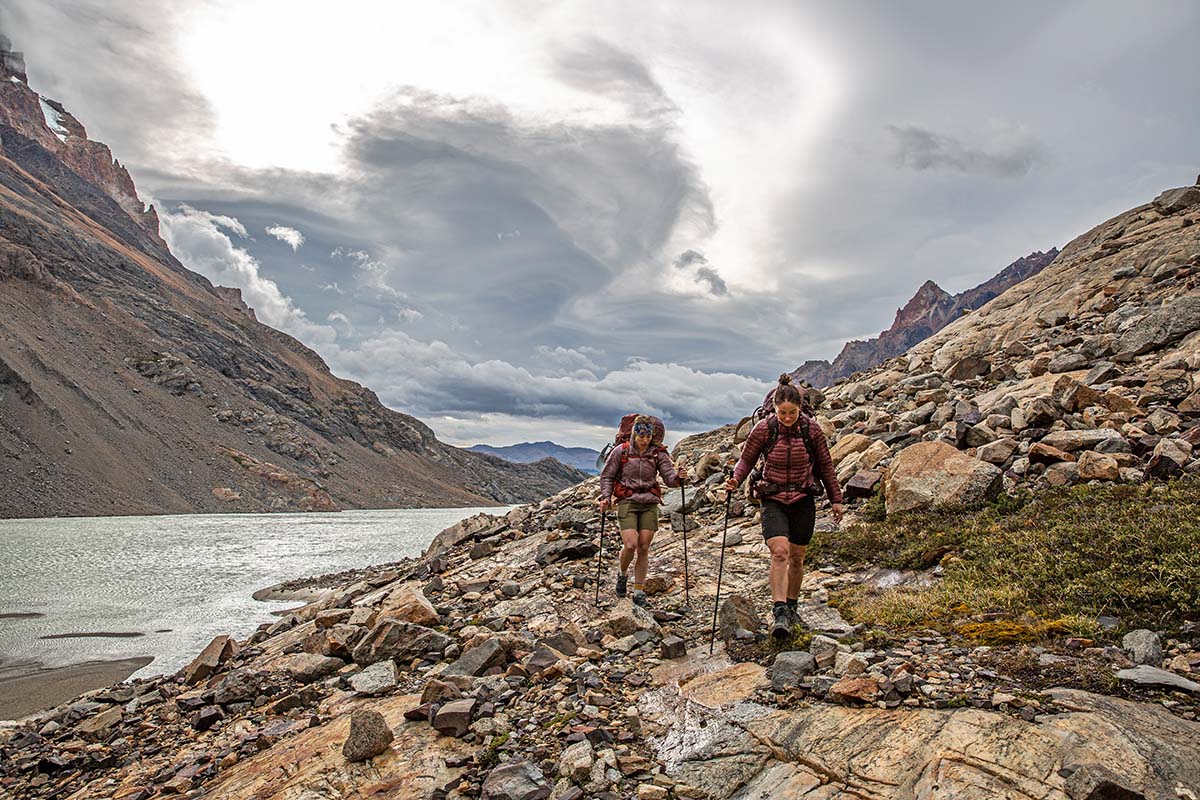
x: 631, y: 482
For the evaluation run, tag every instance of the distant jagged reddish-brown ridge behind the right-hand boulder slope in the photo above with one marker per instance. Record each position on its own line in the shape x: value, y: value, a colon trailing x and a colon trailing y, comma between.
x: 929, y: 311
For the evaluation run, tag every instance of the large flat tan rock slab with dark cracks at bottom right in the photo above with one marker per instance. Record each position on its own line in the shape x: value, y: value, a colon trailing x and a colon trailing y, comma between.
x: 751, y: 751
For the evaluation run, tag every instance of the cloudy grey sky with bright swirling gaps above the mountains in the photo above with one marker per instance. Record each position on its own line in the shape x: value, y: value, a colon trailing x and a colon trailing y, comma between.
x: 520, y: 220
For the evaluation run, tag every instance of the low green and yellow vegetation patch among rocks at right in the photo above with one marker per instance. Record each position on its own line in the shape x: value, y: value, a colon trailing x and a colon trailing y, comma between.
x: 1029, y: 569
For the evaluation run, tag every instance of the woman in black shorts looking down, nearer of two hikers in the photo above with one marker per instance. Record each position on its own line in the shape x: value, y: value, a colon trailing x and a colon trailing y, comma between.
x: 789, y: 489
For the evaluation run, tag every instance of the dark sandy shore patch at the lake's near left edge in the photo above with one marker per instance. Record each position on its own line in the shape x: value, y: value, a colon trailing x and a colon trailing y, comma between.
x: 27, y: 689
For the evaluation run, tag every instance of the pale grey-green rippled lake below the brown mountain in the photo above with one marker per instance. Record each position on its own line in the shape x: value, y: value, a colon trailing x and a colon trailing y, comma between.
x: 177, y: 581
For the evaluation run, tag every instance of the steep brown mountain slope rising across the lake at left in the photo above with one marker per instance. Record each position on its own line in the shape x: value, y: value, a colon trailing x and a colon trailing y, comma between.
x: 133, y: 386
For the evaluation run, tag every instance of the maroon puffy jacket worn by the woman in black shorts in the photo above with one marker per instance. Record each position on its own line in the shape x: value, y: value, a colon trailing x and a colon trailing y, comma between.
x: 789, y: 461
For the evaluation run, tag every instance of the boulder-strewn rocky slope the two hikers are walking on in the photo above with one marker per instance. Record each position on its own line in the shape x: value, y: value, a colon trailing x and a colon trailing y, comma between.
x: 488, y: 669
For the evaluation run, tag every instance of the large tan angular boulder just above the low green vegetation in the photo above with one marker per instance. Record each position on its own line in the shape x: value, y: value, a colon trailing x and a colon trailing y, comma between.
x: 934, y: 474
